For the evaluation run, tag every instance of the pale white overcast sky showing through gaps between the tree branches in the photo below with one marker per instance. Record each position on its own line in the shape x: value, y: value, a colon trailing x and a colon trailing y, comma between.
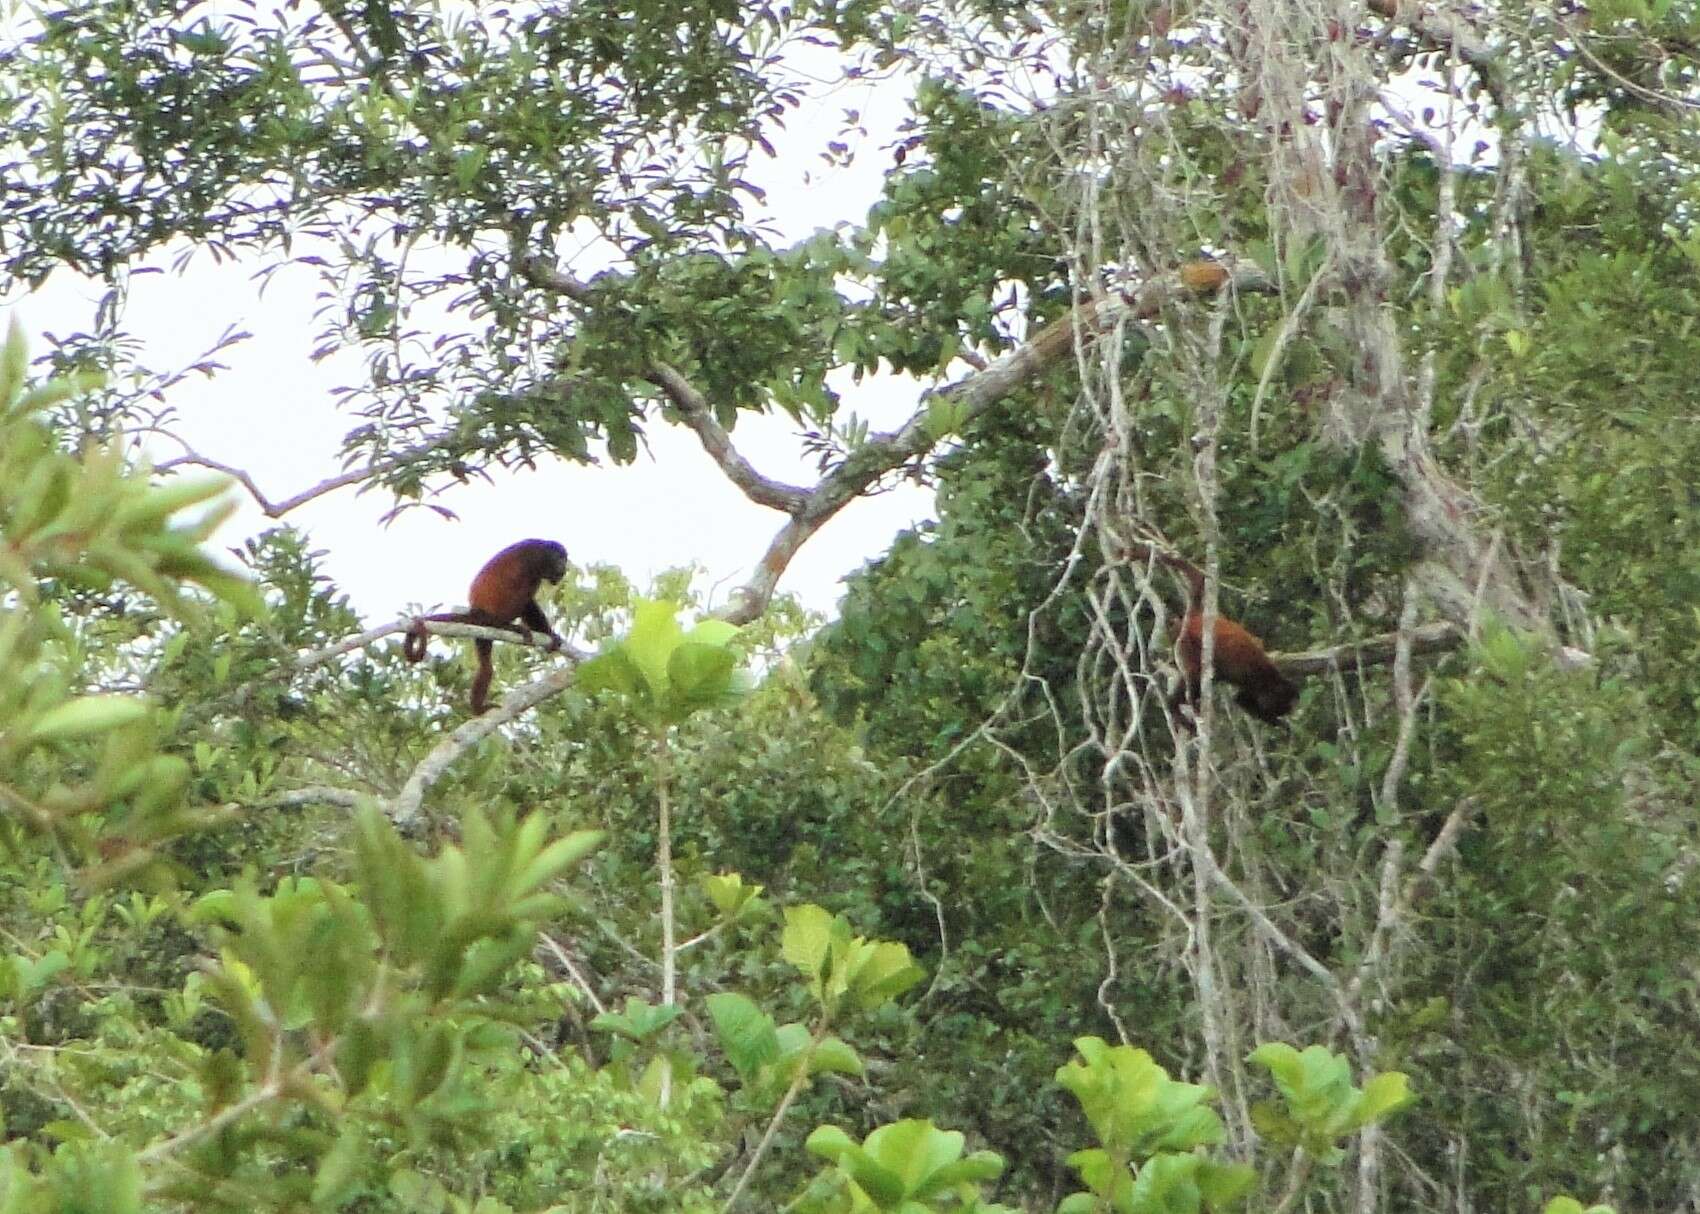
x: 273, y: 414
